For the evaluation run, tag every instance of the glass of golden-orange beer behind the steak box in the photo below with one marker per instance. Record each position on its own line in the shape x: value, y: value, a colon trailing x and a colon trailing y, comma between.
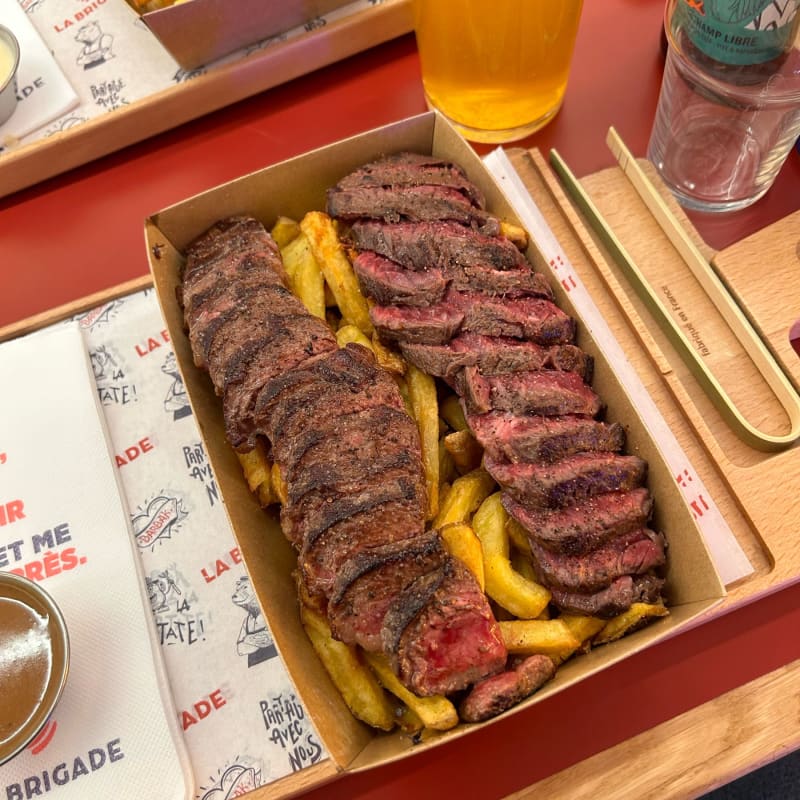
x: 497, y: 69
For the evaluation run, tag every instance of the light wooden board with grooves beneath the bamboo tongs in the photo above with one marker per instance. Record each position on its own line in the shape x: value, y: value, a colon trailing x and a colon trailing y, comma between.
x: 755, y: 491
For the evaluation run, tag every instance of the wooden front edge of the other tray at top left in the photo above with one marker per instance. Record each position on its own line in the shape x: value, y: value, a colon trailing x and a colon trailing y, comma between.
x: 219, y: 86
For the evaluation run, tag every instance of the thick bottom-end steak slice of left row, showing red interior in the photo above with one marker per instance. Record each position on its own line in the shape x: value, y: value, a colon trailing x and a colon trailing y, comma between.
x: 441, y: 633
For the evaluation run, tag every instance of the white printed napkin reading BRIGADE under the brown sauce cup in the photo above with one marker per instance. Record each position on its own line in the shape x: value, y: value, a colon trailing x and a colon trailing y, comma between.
x: 114, y: 732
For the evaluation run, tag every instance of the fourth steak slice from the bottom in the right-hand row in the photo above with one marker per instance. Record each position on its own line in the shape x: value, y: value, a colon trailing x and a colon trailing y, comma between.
x: 569, y: 481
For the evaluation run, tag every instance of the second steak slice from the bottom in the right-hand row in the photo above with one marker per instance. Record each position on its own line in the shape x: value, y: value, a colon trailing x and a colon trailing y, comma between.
x: 629, y: 553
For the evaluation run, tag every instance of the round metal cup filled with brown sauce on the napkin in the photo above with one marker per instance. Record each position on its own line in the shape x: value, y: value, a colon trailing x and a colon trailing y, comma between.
x: 34, y: 661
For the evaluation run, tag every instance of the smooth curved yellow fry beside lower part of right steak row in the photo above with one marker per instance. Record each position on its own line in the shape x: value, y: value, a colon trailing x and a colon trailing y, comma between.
x: 525, y: 599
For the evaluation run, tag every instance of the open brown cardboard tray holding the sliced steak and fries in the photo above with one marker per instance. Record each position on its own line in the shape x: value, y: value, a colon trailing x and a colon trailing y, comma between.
x: 292, y: 188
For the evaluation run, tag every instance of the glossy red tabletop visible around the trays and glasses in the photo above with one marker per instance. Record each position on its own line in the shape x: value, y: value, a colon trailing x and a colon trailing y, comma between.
x: 83, y: 232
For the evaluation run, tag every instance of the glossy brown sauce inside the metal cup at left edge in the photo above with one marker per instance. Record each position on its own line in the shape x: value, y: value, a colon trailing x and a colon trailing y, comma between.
x: 25, y: 664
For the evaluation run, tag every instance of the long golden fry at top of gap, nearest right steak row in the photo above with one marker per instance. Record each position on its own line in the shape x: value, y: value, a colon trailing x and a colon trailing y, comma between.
x: 337, y: 269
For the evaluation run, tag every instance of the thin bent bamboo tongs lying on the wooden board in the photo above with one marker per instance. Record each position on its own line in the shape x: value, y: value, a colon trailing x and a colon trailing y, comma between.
x: 703, y: 271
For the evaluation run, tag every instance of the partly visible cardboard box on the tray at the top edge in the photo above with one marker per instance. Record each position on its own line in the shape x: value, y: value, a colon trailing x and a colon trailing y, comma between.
x: 198, y: 32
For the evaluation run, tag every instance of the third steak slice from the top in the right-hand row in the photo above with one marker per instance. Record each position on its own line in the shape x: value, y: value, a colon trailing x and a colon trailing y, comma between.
x: 427, y: 245
